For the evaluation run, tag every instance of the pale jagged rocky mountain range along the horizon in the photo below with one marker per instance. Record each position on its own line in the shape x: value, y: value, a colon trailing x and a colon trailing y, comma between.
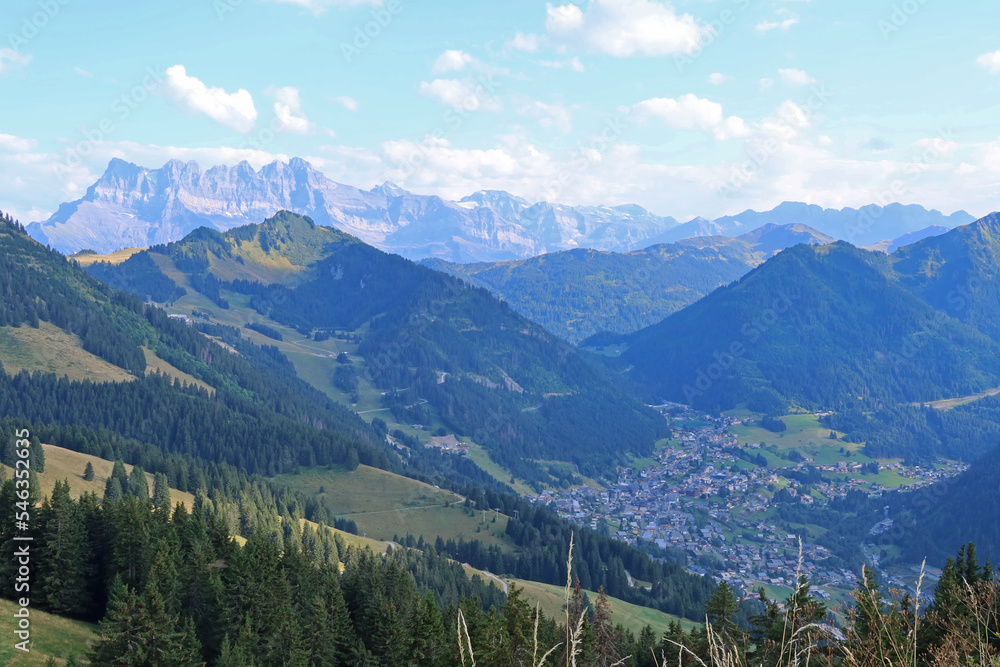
x: 132, y: 206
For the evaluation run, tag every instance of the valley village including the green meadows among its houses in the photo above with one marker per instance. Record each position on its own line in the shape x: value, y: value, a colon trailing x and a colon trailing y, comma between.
x: 714, y: 491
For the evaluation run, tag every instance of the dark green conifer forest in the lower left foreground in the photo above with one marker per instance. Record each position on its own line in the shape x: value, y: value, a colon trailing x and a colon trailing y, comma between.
x: 175, y: 589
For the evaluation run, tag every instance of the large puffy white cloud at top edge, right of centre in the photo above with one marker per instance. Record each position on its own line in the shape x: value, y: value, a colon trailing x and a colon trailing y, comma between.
x: 624, y: 28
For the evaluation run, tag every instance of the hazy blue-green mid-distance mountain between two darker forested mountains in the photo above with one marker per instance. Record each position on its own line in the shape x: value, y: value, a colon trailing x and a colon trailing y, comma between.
x: 577, y: 293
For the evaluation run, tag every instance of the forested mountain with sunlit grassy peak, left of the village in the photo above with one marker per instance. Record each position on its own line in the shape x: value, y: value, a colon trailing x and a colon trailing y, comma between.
x: 491, y: 374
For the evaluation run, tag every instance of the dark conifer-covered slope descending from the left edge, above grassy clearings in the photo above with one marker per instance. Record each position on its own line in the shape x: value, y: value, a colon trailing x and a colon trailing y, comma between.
x: 262, y: 417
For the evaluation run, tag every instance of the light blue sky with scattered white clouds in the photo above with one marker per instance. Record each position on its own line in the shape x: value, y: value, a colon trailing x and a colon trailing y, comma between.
x: 694, y: 107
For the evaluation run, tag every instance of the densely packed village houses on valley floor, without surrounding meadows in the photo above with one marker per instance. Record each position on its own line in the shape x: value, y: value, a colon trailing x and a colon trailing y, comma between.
x: 702, y: 496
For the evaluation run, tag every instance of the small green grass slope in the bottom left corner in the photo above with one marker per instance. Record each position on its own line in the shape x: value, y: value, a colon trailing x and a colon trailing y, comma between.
x: 51, y: 636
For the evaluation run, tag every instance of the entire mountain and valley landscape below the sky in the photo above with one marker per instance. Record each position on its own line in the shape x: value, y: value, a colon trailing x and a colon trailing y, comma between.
x: 273, y: 419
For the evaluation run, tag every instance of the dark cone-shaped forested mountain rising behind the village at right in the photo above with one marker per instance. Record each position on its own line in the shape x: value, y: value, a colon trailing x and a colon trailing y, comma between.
x: 822, y: 327
